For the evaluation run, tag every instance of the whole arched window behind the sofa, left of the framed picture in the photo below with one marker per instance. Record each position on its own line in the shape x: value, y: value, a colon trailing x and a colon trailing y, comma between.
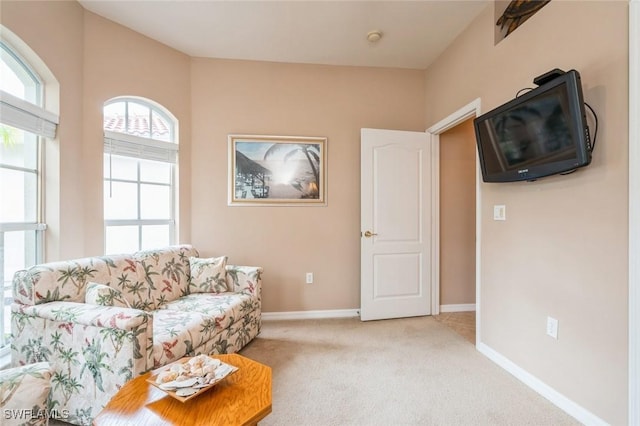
x: 140, y: 158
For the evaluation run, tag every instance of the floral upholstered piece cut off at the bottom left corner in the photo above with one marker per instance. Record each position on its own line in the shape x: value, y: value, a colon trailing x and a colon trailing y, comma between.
x: 25, y: 388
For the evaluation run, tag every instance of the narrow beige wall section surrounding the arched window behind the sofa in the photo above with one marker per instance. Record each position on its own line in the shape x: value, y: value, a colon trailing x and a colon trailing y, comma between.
x: 121, y: 62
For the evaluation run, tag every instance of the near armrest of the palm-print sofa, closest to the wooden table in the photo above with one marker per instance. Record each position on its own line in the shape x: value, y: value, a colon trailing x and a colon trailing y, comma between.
x: 94, y: 350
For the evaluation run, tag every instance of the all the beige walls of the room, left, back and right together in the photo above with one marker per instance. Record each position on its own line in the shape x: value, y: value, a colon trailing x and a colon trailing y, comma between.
x: 562, y: 251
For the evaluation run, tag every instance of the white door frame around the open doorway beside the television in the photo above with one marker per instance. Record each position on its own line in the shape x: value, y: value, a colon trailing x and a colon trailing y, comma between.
x: 466, y: 112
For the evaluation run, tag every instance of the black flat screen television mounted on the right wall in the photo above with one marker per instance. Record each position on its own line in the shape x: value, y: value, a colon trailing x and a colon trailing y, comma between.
x: 541, y: 133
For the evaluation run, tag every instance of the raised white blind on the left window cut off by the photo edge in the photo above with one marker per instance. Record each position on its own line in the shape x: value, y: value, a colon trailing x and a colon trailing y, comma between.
x: 18, y: 113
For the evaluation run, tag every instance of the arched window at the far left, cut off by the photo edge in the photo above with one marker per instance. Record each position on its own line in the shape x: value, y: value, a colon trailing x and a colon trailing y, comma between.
x: 24, y: 126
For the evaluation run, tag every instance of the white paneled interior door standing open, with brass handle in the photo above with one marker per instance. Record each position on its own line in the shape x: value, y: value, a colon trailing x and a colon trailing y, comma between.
x: 395, y: 224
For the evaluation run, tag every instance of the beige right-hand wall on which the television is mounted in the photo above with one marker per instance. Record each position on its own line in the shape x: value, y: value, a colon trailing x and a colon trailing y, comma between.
x: 562, y: 251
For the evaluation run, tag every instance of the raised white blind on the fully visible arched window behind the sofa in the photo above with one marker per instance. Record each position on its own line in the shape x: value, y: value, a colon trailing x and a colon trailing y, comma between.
x: 135, y: 146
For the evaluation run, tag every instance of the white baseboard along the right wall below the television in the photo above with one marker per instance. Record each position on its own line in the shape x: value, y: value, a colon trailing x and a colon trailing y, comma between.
x: 570, y: 407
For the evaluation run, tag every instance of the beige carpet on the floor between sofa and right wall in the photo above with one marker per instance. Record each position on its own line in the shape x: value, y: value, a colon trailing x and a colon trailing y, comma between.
x: 412, y: 371
